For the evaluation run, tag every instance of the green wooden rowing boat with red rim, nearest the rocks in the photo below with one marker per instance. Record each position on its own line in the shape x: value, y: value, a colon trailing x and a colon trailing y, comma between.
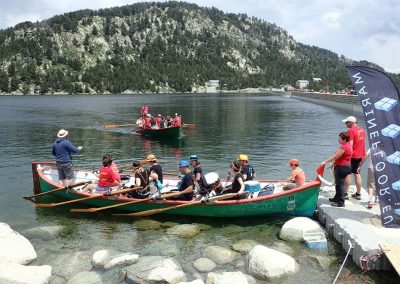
x: 300, y: 201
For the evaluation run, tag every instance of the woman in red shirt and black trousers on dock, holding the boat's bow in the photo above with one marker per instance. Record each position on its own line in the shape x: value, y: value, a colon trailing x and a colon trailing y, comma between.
x: 341, y: 161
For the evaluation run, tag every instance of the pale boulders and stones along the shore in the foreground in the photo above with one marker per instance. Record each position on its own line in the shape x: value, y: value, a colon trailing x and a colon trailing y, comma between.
x: 254, y: 262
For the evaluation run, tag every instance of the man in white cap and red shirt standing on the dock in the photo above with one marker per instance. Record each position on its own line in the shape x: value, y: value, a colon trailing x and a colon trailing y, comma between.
x: 357, y: 140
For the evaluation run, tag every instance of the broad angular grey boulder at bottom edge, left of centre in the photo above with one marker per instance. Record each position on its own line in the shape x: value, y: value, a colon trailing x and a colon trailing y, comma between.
x: 155, y: 269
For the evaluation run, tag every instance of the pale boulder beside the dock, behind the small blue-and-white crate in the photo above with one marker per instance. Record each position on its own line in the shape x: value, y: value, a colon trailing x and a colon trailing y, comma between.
x: 294, y: 229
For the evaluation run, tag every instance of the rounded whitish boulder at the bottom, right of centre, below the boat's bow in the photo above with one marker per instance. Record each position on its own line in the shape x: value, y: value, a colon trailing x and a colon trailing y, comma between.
x: 266, y: 264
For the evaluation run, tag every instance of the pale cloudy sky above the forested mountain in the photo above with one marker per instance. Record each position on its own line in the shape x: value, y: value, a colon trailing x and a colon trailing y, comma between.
x: 358, y: 29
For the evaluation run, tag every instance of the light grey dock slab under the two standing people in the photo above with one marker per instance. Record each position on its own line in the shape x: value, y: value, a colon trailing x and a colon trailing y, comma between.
x: 360, y: 226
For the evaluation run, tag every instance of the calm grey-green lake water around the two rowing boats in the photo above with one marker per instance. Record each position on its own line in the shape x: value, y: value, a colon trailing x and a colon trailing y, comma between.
x: 270, y: 129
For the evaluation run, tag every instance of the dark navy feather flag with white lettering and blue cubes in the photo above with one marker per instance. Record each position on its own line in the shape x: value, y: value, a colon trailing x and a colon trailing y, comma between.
x: 379, y: 98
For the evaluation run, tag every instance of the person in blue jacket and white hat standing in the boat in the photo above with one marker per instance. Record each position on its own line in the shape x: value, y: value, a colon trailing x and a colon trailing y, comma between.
x: 62, y: 150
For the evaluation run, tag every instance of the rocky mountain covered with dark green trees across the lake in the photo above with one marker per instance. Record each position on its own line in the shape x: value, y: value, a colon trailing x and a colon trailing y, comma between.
x: 158, y: 47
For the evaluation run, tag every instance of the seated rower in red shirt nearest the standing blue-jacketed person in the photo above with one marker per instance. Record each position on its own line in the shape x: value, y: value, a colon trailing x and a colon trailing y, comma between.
x: 107, y: 178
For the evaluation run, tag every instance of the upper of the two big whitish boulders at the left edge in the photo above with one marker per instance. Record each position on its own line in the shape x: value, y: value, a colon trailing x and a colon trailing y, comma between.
x: 15, y: 247
